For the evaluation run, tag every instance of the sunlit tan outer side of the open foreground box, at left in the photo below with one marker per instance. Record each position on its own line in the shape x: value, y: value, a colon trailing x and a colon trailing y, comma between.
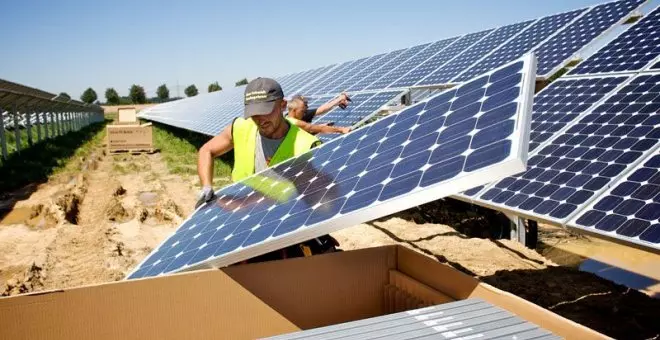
x: 200, y: 305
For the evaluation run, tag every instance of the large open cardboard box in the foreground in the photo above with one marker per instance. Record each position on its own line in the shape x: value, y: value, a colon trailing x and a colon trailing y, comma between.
x: 259, y: 300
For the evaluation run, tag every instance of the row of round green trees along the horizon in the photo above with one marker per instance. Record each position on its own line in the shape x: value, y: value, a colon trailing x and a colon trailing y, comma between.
x: 137, y: 95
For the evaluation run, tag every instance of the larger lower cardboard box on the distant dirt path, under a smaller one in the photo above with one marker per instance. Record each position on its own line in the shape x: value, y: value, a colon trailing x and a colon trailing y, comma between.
x: 130, y: 137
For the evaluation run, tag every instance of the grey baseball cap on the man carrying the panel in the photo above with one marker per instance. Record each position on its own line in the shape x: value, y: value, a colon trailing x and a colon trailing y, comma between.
x: 260, y: 96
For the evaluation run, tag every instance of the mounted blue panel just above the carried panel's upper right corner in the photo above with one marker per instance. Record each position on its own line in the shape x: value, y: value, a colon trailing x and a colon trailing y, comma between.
x: 555, y: 53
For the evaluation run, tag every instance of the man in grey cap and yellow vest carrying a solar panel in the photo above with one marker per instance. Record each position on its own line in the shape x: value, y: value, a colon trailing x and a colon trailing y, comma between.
x: 261, y: 139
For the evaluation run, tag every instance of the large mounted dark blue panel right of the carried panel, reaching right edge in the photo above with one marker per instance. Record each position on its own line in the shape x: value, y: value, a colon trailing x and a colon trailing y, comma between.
x: 580, y: 163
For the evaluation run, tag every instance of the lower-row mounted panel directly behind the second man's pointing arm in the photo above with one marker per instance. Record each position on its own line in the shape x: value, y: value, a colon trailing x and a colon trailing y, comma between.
x: 359, y: 110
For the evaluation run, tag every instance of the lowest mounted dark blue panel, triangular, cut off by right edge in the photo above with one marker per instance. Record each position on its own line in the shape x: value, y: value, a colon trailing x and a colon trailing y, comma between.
x: 630, y: 210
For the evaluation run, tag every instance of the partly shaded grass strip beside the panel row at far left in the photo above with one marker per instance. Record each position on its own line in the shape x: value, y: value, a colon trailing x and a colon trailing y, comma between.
x: 48, y: 157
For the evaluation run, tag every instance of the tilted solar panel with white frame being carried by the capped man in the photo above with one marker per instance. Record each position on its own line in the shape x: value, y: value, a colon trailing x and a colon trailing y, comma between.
x: 514, y: 161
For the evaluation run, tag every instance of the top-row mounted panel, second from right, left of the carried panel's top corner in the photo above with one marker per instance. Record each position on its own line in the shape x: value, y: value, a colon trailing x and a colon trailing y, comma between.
x: 521, y: 44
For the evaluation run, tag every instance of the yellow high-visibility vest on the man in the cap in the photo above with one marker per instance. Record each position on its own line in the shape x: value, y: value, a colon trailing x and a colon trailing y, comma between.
x: 244, y: 134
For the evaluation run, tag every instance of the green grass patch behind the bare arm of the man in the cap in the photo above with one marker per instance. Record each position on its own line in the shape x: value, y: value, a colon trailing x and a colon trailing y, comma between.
x: 179, y: 150
